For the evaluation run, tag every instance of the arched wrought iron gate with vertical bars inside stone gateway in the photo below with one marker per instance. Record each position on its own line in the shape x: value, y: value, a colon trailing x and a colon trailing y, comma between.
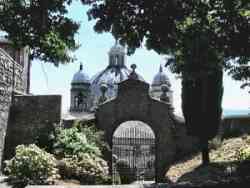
x: 133, y: 154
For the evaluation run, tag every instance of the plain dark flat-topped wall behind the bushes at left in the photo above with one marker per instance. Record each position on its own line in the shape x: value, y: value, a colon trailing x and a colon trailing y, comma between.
x: 29, y: 117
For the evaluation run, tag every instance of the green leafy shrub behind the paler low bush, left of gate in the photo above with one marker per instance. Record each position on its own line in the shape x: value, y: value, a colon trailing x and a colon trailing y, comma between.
x: 73, y: 142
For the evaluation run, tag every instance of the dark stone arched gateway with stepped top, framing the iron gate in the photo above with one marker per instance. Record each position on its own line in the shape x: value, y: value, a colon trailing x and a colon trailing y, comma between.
x: 133, y: 103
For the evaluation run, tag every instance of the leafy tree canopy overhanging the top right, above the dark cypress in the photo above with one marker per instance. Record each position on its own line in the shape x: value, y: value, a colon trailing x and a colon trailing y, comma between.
x: 206, y: 33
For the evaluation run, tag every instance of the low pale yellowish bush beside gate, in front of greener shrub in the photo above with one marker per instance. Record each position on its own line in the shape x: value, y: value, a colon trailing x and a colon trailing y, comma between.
x: 87, y: 168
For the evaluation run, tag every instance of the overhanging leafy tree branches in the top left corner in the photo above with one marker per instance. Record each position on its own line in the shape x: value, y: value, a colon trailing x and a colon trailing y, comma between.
x: 42, y: 25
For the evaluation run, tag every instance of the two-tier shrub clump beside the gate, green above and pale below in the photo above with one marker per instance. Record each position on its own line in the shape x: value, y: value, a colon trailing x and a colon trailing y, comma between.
x: 80, y: 151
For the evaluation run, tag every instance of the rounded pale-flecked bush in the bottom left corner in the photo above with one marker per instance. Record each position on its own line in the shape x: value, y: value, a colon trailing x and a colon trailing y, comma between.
x: 32, y: 165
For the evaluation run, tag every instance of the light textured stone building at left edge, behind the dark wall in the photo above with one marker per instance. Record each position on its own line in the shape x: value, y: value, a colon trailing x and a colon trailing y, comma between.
x: 14, y: 76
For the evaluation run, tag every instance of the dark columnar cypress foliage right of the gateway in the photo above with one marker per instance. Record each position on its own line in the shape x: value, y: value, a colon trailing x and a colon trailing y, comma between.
x: 203, y: 114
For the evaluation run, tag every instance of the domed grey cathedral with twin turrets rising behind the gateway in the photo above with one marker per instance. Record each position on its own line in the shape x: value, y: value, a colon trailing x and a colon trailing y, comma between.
x: 87, y: 94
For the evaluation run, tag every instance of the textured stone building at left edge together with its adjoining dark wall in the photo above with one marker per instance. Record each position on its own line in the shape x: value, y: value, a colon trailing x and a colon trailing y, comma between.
x: 21, y: 114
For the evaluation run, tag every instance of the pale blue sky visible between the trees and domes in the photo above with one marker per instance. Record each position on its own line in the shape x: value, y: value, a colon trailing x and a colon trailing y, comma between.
x: 93, y: 53
